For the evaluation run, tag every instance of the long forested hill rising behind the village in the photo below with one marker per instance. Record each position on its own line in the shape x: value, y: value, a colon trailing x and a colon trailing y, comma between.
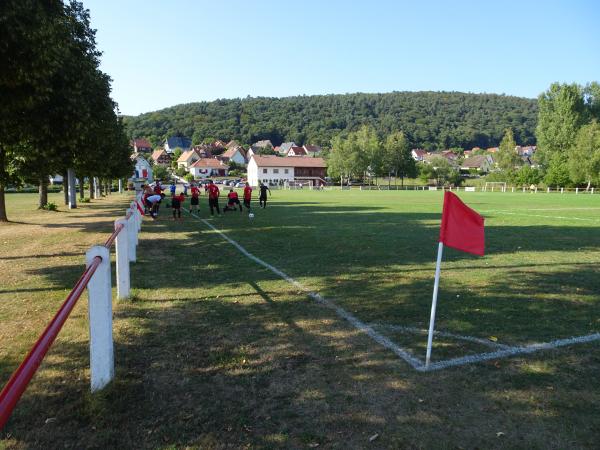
x: 431, y: 120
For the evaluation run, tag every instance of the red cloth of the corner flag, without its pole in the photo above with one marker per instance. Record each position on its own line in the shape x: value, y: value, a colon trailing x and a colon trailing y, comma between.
x: 462, y: 228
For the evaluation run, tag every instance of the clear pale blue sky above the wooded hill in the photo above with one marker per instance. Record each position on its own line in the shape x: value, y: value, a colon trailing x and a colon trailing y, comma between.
x: 161, y: 53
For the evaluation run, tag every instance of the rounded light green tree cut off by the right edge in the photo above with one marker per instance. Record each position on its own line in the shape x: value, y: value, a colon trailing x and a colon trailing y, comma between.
x: 584, y: 156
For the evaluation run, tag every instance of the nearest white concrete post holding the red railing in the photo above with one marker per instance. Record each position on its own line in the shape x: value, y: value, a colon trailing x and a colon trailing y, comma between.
x: 102, y: 365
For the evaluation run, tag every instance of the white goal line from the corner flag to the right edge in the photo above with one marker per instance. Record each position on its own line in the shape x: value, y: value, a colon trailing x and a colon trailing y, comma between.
x: 509, y: 352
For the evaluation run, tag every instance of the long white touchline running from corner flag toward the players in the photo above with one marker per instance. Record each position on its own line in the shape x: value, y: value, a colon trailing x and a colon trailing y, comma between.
x: 341, y: 312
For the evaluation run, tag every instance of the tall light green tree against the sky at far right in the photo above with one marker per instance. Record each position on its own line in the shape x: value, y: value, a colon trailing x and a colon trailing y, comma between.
x: 561, y: 114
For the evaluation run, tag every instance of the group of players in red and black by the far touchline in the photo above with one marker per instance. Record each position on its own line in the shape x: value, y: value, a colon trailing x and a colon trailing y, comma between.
x: 153, y: 197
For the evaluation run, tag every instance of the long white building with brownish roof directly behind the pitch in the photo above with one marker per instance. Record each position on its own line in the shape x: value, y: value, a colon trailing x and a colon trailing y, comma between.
x: 275, y: 170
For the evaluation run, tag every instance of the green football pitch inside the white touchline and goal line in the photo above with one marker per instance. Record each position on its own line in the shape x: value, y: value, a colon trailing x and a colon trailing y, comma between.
x: 372, y: 255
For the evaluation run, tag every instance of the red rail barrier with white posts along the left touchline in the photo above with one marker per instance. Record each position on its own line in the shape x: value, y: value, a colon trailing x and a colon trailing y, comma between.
x: 97, y: 279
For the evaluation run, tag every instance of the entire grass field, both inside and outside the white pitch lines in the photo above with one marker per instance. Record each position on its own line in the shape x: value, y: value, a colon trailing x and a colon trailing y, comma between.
x: 215, y: 351
